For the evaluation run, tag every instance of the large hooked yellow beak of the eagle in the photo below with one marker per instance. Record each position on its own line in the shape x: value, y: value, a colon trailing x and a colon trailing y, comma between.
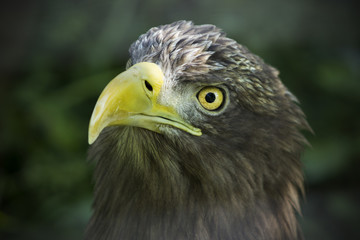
x: 131, y: 99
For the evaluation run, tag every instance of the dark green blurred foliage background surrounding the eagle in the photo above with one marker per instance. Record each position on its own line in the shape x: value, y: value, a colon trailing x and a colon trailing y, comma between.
x: 57, y: 56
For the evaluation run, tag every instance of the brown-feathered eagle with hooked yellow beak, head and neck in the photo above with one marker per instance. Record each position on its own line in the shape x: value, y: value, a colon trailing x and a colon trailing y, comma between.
x: 197, y: 139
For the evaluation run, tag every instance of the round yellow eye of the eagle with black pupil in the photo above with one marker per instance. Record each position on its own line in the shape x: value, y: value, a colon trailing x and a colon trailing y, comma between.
x: 211, y: 98
